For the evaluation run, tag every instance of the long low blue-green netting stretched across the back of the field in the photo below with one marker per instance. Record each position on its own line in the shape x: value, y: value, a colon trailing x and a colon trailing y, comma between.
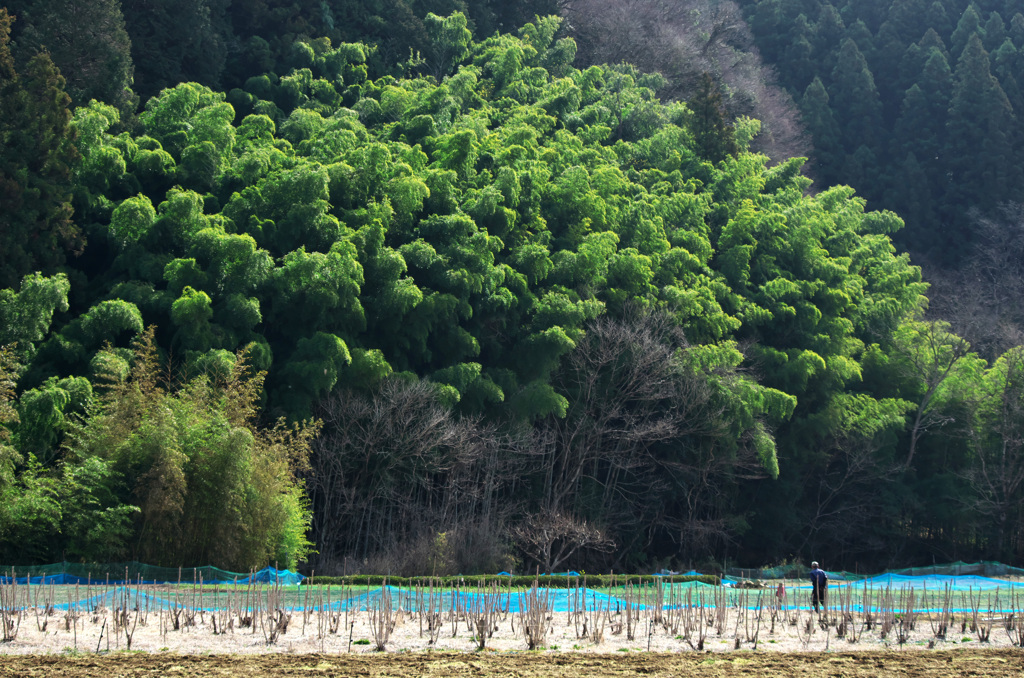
x: 931, y: 595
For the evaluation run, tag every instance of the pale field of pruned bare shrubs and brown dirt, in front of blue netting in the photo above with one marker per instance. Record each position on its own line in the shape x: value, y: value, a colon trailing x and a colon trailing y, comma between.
x: 730, y: 640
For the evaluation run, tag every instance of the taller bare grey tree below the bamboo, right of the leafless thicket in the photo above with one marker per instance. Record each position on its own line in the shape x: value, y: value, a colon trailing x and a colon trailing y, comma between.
x: 647, y: 450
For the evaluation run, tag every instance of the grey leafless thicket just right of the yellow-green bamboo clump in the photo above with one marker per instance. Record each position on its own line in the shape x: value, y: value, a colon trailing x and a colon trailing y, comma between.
x: 393, y: 471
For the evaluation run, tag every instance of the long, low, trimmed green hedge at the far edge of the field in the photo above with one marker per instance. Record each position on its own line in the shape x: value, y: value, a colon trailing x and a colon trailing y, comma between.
x: 549, y: 581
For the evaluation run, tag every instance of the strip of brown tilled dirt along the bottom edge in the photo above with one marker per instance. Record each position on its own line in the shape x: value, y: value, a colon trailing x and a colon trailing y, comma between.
x: 976, y: 664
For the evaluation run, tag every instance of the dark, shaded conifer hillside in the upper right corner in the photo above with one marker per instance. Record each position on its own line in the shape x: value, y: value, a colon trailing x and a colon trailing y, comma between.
x: 918, y: 105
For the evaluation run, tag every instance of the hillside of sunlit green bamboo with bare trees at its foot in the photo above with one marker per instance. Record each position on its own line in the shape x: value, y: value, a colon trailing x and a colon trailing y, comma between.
x: 473, y: 304
